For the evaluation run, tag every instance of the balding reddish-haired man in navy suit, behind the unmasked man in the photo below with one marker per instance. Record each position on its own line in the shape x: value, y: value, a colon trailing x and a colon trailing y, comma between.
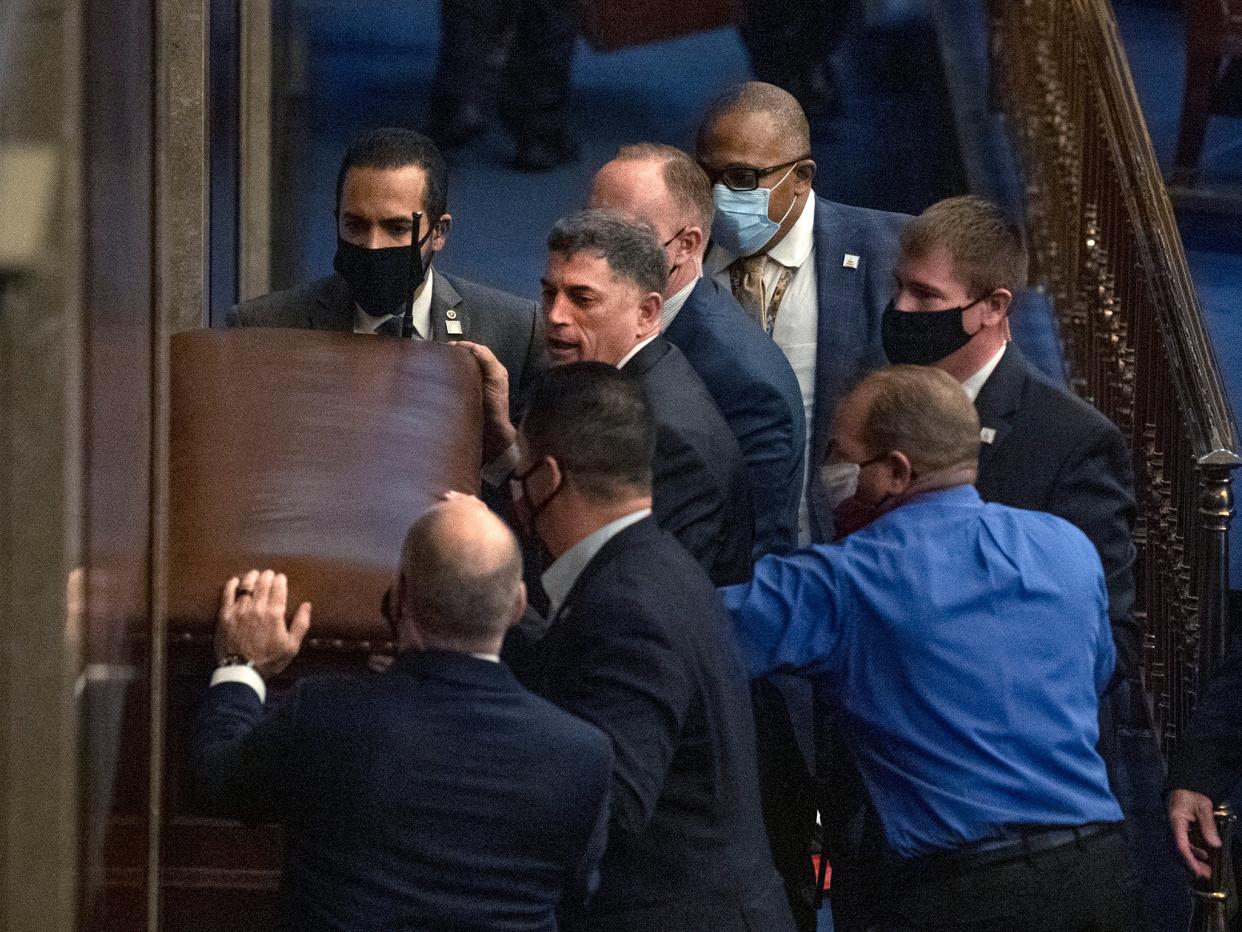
x: 748, y: 376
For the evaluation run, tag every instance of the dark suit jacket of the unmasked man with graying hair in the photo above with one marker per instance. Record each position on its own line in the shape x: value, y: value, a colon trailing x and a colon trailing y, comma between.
x: 699, y: 477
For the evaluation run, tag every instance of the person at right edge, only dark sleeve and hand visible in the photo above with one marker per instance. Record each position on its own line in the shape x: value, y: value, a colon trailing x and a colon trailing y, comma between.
x: 1208, y: 765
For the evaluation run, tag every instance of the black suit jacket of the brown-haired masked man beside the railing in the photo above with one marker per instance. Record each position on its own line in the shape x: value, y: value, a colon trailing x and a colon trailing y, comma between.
x: 1055, y: 453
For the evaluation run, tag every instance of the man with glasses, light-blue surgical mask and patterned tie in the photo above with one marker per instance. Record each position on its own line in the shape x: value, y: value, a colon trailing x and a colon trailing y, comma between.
x: 814, y: 274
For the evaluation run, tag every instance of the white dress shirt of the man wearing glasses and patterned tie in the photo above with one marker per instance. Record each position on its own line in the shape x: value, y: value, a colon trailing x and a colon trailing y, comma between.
x: 798, y: 319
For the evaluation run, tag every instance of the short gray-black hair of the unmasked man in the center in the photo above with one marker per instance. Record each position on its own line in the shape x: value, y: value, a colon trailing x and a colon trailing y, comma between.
x: 630, y: 247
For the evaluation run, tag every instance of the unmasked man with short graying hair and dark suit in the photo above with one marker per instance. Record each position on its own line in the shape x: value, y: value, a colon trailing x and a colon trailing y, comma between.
x: 603, y: 296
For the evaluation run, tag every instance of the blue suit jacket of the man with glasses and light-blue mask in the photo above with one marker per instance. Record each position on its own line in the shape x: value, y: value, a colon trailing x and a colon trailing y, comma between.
x: 851, y: 303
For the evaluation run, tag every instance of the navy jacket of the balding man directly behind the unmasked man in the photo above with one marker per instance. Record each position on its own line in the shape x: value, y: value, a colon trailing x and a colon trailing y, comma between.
x: 757, y: 392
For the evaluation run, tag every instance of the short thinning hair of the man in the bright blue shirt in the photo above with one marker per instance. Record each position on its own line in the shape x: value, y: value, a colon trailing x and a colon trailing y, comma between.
x: 921, y: 412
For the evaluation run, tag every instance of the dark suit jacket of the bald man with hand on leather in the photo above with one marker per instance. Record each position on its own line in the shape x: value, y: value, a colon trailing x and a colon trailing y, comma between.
x: 417, y: 800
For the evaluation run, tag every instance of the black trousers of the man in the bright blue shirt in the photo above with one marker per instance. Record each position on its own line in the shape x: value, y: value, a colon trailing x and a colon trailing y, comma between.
x: 1090, y: 885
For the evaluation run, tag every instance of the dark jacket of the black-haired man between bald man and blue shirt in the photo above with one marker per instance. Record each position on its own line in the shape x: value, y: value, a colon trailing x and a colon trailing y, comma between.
x: 641, y: 651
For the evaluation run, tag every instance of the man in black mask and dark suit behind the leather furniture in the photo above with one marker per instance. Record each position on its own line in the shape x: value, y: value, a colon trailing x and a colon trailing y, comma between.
x: 384, y: 280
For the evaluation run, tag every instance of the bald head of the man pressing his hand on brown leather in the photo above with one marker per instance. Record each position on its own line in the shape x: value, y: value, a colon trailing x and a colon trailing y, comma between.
x: 461, y: 578
